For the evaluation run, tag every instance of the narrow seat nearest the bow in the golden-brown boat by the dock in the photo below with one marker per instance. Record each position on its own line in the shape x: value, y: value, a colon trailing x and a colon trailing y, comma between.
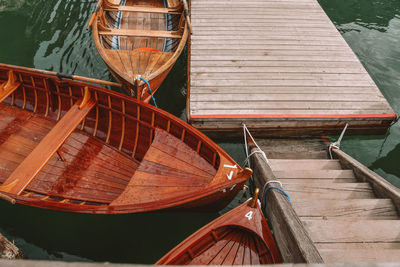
x: 140, y: 33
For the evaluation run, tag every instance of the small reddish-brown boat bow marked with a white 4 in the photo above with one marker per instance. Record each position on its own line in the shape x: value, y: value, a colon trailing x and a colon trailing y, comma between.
x: 239, y: 237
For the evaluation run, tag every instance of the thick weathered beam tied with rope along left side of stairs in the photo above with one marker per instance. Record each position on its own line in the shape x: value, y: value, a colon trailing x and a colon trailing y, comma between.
x: 292, y: 238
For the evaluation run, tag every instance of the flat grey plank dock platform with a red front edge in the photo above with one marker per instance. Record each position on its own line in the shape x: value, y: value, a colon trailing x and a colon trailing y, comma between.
x: 276, y: 63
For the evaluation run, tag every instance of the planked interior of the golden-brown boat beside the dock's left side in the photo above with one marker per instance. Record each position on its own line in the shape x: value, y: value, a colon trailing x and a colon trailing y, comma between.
x: 139, y: 37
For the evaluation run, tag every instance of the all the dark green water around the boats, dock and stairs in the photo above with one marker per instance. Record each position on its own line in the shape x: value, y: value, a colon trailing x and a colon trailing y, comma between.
x: 51, y: 35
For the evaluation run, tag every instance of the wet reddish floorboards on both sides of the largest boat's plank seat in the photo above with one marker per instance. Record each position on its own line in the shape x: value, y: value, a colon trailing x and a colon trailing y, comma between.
x: 92, y: 171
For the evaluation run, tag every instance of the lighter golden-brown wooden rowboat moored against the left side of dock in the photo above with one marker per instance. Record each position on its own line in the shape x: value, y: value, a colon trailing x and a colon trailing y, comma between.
x: 136, y: 37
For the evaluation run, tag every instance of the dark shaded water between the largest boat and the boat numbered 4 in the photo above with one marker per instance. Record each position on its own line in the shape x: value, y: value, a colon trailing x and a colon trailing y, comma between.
x: 135, y: 238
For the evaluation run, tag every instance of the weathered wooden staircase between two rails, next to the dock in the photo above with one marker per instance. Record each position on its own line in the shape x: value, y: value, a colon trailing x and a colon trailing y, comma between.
x: 348, y: 216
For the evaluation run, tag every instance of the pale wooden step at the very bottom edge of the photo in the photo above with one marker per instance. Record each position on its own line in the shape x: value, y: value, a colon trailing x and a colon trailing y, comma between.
x: 360, y: 255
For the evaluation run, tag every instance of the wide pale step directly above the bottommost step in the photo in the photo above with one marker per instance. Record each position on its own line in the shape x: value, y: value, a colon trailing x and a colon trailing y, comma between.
x: 353, y: 231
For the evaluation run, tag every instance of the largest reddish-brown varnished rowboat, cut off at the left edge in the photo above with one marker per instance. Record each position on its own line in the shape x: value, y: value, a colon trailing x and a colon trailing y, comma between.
x: 72, y: 146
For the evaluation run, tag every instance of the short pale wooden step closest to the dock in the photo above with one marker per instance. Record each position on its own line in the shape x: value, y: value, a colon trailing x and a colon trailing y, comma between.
x: 304, y: 164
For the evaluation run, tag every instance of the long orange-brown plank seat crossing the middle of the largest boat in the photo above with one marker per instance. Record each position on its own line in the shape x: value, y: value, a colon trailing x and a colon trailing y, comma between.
x: 41, y: 154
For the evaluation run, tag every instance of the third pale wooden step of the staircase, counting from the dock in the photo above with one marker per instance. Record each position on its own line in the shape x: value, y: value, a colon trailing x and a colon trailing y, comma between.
x: 337, y: 191
